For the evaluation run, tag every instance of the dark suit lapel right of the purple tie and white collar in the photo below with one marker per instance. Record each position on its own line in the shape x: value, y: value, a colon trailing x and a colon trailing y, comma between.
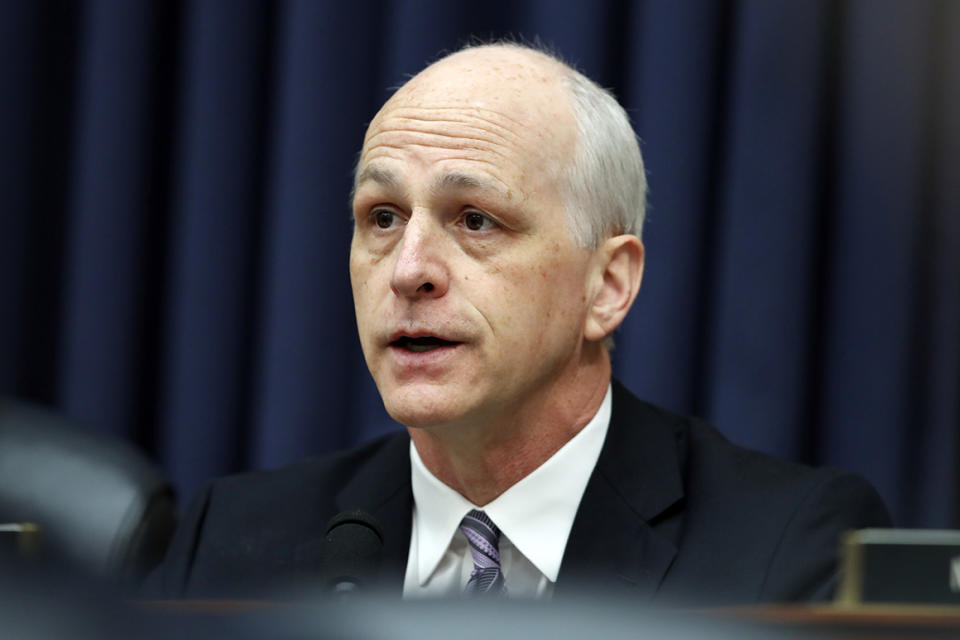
x: 624, y: 534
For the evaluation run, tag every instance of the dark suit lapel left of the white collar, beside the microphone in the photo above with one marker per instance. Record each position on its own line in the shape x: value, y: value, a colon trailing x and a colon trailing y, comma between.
x: 381, y: 486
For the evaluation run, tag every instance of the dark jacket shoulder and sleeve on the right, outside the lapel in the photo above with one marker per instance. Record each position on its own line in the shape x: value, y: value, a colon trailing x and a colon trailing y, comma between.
x: 757, y: 528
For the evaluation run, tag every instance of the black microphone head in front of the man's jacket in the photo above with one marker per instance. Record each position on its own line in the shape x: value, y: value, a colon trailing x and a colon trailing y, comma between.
x: 351, y: 552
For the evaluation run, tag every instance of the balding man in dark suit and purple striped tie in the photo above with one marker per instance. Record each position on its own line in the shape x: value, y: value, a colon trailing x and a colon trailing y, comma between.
x: 498, y: 204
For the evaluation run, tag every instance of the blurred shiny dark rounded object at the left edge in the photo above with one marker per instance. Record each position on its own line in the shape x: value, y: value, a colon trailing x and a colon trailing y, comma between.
x: 95, y: 502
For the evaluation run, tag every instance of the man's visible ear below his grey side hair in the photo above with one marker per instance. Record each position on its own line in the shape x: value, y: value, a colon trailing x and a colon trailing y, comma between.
x: 615, y: 281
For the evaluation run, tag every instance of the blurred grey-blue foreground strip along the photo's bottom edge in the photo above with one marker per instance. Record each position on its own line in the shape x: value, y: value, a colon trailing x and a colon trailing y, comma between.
x: 39, y: 601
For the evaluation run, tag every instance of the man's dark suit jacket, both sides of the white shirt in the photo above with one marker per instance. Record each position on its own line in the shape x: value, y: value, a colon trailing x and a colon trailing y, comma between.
x: 672, y: 512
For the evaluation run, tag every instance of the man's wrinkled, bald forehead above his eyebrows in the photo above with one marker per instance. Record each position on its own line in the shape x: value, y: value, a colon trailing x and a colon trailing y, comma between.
x: 499, y: 116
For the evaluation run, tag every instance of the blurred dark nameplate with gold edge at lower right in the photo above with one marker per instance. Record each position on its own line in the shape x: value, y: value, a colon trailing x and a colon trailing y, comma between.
x: 900, y: 566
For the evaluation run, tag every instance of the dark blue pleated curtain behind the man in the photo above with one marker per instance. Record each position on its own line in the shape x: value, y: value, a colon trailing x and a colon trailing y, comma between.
x: 174, y: 182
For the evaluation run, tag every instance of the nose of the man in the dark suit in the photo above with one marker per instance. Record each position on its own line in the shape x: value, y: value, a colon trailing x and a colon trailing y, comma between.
x: 420, y: 270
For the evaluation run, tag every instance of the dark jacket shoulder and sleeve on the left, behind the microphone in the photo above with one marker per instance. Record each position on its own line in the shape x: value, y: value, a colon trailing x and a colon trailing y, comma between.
x: 257, y: 531
